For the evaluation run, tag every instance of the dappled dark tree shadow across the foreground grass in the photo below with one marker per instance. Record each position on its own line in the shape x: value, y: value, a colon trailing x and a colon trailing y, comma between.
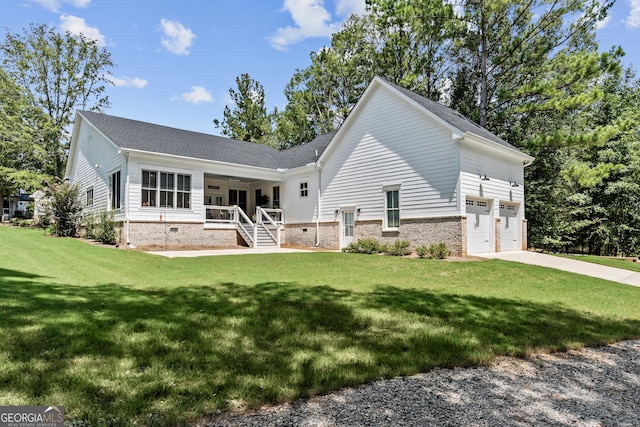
x: 113, y: 354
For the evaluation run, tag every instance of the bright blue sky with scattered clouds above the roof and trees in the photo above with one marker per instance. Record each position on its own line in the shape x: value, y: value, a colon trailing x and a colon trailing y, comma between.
x: 176, y: 60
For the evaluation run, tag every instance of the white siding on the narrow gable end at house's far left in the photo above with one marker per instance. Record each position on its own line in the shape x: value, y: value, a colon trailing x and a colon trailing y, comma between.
x: 96, y: 159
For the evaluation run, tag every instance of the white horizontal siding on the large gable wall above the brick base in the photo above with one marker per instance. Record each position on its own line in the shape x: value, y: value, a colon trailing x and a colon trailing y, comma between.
x: 391, y: 142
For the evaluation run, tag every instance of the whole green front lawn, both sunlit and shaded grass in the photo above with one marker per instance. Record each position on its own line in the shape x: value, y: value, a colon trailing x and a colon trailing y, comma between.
x: 119, y: 337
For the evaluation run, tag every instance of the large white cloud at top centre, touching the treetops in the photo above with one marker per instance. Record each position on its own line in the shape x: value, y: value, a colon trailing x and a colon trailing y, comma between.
x: 311, y: 20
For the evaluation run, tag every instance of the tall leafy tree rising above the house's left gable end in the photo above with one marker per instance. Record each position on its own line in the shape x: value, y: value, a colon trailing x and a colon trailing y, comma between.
x: 60, y: 72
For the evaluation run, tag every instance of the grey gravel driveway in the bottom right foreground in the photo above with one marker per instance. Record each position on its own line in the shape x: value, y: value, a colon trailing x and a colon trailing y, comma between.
x: 591, y: 387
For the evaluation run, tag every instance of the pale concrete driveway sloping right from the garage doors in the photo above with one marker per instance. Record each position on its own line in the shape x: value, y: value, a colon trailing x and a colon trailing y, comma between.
x: 580, y: 267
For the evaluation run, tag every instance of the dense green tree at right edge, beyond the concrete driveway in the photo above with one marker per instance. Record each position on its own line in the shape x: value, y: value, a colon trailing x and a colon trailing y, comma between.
x: 607, y: 175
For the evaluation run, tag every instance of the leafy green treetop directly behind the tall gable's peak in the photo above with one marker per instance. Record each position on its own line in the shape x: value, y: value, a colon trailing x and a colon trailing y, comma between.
x: 405, y: 42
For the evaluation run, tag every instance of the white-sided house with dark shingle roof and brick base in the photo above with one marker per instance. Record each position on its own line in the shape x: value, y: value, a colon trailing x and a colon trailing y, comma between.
x: 400, y: 167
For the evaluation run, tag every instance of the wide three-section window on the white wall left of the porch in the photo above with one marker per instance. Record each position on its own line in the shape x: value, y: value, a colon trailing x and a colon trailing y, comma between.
x: 170, y: 191
